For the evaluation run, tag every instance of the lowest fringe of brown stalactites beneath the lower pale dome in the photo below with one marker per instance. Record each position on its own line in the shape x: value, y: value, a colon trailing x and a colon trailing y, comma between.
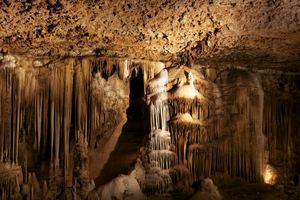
x: 192, y: 147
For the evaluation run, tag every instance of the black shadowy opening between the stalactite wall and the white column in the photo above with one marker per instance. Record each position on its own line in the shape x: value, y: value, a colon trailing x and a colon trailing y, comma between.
x: 123, y: 157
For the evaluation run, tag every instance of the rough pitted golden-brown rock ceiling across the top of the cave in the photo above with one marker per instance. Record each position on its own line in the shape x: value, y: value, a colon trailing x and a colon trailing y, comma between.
x: 151, y: 29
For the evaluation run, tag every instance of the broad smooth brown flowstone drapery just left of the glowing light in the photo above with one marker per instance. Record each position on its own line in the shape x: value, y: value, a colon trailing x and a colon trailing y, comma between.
x: 243, y: 154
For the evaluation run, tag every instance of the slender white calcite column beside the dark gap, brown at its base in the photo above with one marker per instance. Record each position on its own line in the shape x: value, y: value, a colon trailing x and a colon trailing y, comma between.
x: 160, y: 154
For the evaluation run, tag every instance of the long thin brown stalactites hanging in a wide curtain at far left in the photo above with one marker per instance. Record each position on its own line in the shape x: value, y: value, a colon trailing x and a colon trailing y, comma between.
x: 47, y: 107
